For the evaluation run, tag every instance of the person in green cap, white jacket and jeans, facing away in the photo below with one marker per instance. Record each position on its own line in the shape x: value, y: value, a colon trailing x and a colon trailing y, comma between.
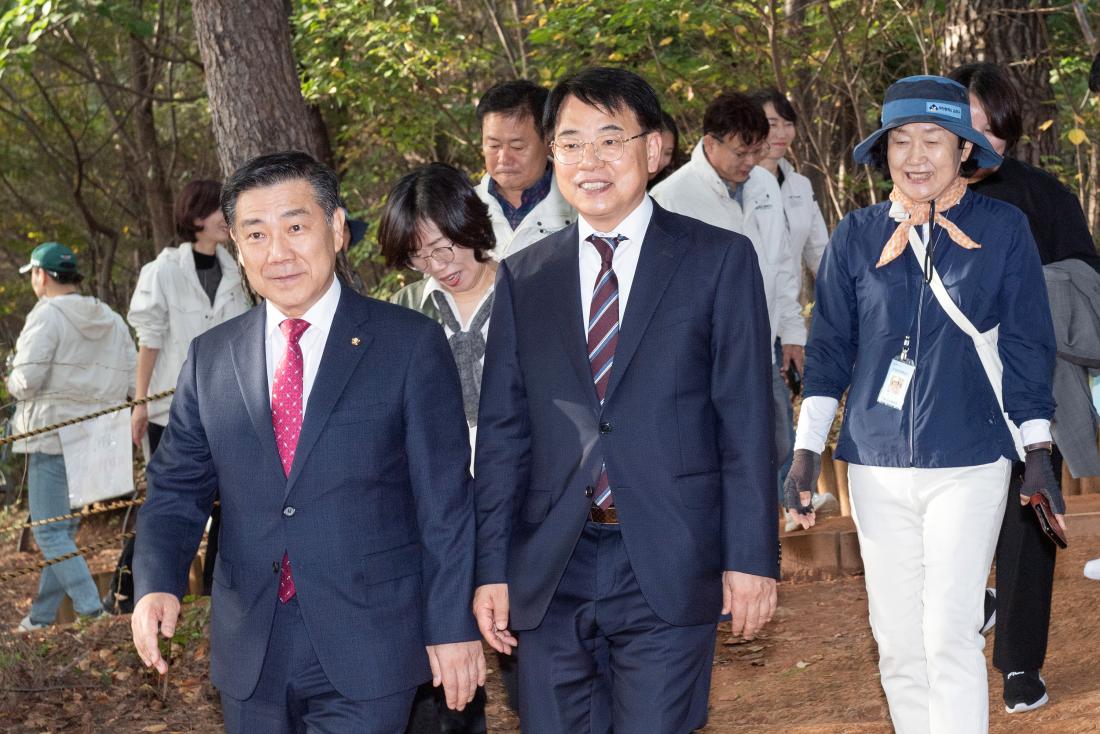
x: 74, y: 357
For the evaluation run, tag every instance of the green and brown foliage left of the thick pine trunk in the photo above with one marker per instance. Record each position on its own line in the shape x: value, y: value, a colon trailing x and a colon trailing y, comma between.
x: 71, y: 166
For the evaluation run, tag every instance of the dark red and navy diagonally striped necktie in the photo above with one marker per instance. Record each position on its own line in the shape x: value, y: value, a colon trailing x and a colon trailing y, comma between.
x: 603, y: 337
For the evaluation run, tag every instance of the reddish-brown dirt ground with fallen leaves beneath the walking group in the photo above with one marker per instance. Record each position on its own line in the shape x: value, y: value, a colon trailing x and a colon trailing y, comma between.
x: 818, y: 654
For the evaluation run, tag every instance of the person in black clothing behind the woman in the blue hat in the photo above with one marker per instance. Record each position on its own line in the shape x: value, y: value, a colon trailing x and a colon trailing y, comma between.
x: 1026, y: 558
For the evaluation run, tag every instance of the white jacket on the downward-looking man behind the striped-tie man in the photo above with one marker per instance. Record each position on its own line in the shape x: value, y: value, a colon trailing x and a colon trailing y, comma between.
x: 696, y: 190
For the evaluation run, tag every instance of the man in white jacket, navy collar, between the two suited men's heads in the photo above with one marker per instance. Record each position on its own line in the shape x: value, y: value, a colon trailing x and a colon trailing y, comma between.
x: 519, y: 189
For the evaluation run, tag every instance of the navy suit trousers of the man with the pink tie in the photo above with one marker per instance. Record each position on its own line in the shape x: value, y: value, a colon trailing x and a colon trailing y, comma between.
x: 295, y: 697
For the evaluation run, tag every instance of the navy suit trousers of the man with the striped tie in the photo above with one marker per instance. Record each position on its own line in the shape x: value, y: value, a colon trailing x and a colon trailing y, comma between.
x: 603, y: 662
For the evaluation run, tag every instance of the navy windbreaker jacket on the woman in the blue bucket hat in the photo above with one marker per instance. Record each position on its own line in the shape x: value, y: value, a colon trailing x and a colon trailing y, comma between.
x: 863, y: 315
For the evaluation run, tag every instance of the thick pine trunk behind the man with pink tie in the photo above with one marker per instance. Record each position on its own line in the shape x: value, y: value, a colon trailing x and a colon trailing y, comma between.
x: 256, y: 98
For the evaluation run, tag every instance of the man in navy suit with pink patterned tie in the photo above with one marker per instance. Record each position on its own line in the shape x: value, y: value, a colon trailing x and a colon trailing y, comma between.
x: 333, y: 428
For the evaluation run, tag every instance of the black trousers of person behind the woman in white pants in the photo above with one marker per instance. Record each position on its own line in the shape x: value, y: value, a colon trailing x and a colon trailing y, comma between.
x: 1025, y: 583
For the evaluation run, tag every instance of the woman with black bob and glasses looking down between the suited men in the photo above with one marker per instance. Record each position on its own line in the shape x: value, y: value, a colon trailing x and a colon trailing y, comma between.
x: 436, y: 224
